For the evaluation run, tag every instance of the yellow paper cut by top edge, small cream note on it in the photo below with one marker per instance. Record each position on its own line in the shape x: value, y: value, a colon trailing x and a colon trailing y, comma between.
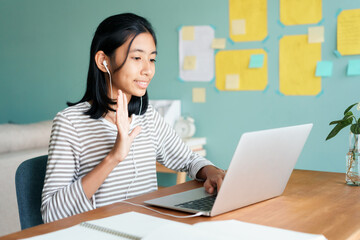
x: 248, y: 20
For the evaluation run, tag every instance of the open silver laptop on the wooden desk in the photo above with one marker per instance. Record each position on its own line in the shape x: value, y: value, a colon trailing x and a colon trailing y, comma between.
x: 259, y: 170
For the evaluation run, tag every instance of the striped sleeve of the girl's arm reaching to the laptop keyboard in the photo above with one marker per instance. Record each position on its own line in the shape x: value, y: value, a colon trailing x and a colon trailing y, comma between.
x: 173, y: 153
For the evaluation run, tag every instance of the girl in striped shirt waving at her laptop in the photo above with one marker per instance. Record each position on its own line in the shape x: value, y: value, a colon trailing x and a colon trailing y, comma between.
x: 104, y: 148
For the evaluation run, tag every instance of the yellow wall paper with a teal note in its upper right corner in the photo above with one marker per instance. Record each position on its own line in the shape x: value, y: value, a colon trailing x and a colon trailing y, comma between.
x: 233, y: 64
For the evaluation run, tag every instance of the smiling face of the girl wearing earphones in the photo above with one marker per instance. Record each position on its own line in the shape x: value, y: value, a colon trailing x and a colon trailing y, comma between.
x: 135, y: 75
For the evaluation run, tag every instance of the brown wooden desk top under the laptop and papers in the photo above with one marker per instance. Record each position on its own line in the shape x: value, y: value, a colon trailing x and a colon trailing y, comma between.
x: 313, y: 202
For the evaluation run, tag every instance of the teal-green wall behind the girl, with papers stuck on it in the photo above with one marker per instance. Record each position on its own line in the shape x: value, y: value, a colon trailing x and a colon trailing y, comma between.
x: 44, y: 49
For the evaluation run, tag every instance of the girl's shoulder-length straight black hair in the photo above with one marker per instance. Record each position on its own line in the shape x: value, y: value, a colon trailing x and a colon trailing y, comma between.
x: 113, y: 32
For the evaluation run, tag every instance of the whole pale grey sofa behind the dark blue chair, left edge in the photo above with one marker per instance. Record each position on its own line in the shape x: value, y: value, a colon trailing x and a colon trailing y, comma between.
x: 18, y: 142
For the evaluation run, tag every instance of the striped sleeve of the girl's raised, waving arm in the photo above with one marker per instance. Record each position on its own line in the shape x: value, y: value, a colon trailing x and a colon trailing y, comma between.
x: 63, y: 195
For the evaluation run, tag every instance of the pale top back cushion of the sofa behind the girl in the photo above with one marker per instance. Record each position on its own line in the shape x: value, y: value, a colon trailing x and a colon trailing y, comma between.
x: 17, y: 137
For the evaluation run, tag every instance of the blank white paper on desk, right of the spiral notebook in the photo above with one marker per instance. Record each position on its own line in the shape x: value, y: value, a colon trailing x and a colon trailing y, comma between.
x: 242, y: 230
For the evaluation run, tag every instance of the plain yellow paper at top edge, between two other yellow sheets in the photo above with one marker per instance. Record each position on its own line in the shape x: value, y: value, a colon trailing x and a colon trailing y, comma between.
x: 294, y: 12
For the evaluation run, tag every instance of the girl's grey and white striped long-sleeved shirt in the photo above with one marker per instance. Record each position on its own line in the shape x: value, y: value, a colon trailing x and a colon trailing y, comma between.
x: 79, y: 143
